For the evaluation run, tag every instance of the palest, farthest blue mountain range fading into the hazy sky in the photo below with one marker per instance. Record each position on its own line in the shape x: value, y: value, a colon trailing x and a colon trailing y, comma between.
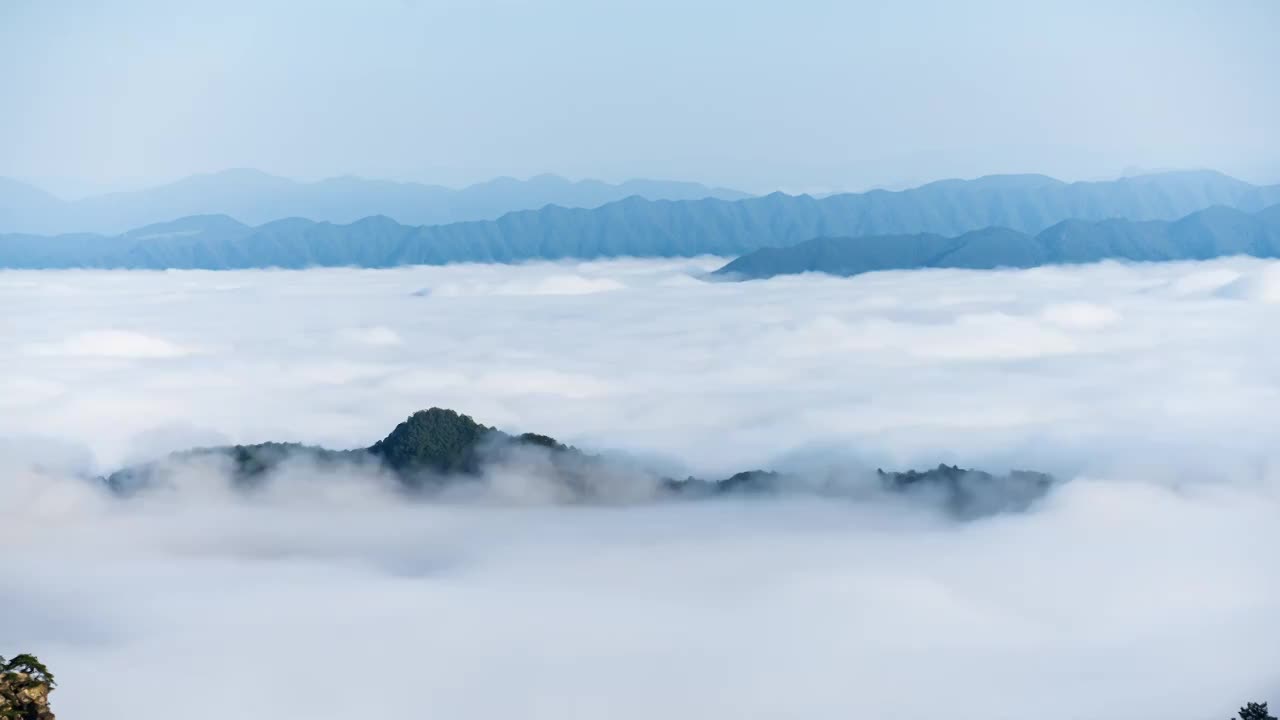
x: 255, y: 198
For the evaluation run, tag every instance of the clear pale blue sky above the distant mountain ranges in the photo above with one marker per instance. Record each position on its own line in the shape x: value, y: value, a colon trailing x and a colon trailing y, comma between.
x: 801, y: 95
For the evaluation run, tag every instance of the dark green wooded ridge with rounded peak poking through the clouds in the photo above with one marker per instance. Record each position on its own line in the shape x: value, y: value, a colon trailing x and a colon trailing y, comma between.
x: 441, y: 452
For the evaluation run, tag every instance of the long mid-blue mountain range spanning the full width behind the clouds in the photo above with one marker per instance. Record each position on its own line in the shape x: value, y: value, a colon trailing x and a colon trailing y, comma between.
x: 638, y: 227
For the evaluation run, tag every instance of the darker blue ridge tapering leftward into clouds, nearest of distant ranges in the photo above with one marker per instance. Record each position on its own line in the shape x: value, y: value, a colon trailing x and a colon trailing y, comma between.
x: 1217, y: 233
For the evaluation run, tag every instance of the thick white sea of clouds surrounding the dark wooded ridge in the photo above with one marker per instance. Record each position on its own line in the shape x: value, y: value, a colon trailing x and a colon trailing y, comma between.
x: 1145, y: 587
